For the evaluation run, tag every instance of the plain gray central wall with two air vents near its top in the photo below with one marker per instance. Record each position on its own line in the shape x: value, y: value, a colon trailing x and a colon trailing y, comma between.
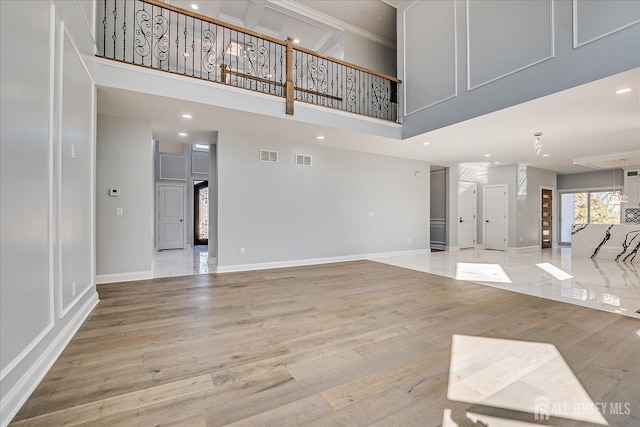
x: 281, y: 212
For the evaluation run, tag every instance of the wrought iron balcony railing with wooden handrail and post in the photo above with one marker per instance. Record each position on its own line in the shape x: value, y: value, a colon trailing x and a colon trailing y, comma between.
x: 160, y: 36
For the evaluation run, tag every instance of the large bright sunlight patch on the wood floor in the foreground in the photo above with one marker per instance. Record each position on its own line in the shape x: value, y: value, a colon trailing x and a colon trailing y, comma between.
x: 528, y: 377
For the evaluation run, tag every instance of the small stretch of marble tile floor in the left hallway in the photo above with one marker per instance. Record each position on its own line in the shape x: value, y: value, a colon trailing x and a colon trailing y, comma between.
x: 182, y: 262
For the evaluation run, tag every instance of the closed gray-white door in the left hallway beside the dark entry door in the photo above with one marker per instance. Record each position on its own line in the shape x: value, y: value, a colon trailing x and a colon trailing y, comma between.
x: 170, y: 216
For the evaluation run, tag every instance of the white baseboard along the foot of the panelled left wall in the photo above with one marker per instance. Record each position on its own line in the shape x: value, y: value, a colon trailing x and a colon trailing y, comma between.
x: 19, y: 393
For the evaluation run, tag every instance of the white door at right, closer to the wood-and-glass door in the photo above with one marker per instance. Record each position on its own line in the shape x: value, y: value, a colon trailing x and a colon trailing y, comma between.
x: 495, y: 217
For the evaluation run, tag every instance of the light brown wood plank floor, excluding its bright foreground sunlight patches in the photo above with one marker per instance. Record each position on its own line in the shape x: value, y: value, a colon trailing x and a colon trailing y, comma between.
x: 356, y: 343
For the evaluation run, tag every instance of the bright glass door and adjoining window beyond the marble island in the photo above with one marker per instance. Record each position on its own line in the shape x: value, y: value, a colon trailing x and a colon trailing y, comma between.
x: 586, y: 207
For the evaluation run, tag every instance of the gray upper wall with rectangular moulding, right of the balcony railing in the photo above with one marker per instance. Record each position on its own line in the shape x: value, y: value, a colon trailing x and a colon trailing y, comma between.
x: 465, y: 59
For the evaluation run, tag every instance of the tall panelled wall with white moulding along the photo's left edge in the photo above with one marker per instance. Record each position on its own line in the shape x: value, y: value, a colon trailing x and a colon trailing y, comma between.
x: 47, y: 154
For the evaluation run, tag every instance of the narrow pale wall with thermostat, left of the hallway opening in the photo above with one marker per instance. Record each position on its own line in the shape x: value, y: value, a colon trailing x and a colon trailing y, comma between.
x: 124, y: 244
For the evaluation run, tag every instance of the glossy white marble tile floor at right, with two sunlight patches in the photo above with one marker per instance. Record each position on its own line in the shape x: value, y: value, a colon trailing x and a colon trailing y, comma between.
x: 550, y: 273
